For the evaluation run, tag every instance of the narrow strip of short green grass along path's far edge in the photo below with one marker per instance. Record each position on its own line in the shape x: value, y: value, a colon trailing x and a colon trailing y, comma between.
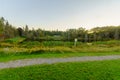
x: 9, y: 57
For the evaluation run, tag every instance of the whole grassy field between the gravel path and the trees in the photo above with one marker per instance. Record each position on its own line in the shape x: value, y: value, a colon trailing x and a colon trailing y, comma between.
x: 14, y: 49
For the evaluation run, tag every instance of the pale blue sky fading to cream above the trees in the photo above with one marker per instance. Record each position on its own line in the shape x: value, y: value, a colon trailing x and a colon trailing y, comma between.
x: 61, y: 14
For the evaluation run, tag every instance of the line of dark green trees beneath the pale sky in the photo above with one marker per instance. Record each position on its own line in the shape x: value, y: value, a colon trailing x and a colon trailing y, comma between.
x: 95, y: 34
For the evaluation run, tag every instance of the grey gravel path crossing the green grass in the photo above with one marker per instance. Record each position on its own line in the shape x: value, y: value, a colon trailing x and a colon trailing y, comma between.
x: 28, y: 62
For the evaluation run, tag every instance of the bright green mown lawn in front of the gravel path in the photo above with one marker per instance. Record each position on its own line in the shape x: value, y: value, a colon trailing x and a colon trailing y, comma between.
x: 96, y: 70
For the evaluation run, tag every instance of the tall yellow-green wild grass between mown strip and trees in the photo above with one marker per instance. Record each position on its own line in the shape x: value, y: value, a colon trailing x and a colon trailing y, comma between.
x: 33, y: 47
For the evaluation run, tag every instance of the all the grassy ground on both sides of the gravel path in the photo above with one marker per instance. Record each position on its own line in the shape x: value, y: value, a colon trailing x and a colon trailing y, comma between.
x: 17, y: 48
